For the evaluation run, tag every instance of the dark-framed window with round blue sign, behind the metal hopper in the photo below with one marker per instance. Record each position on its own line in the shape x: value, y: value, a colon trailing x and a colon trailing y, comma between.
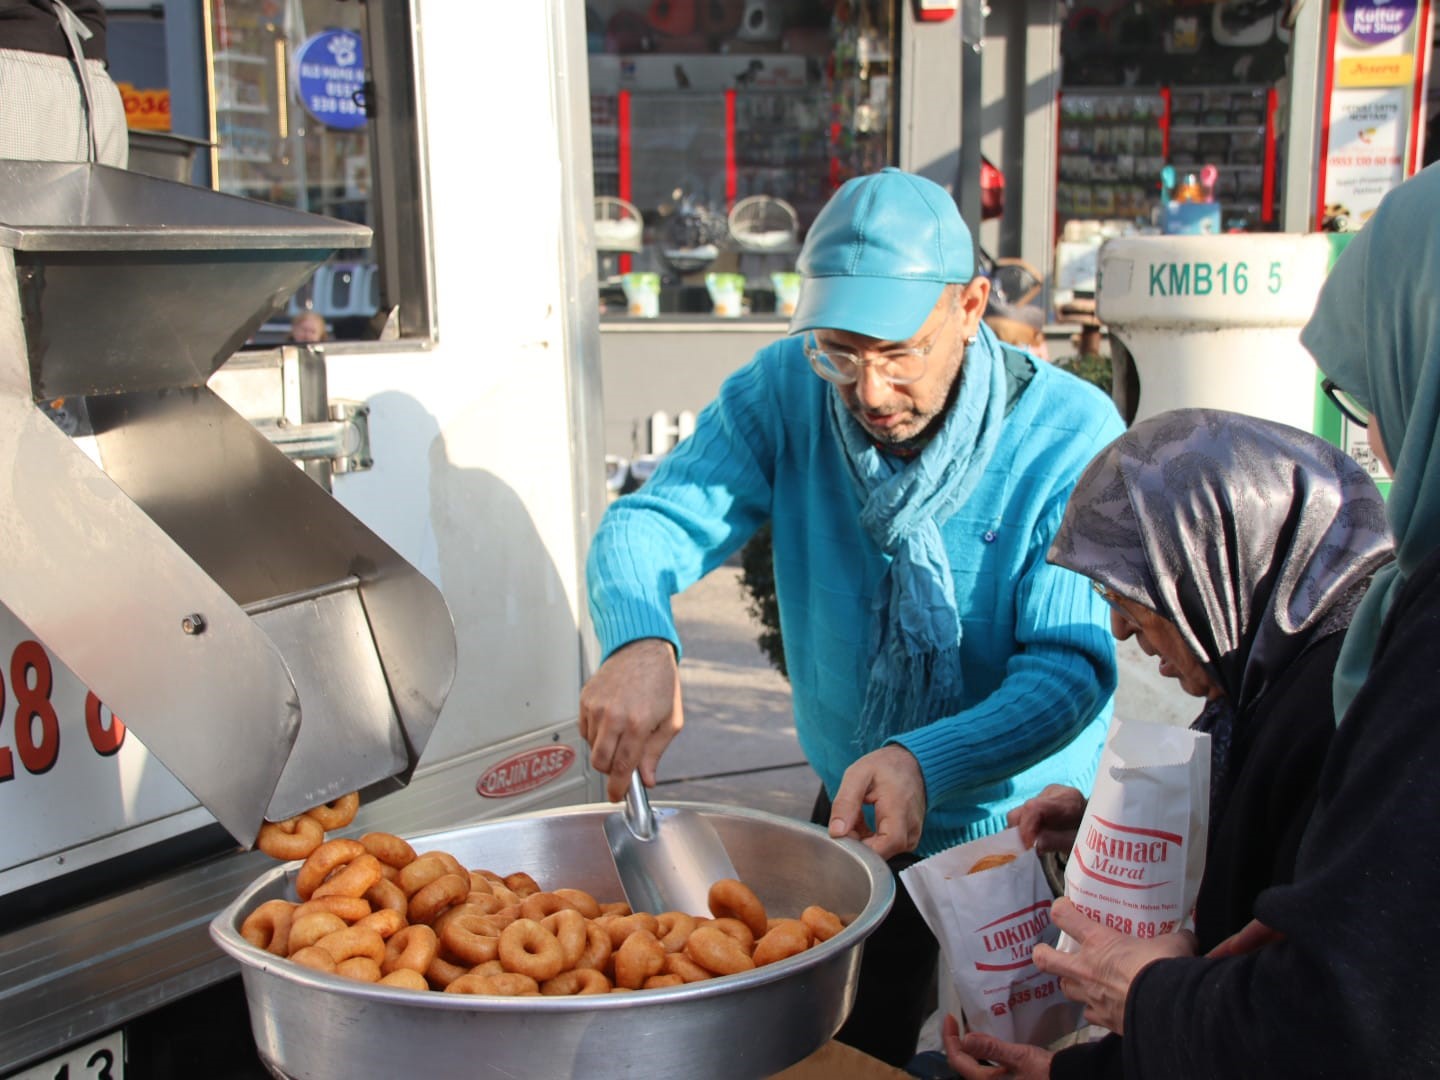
x: 313, y: 109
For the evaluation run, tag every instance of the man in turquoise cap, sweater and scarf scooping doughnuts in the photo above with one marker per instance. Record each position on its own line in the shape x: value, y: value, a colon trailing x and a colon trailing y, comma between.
x: 915, y: 472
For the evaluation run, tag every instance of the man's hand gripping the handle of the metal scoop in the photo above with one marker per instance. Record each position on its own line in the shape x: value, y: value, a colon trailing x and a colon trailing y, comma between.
x: 630, y: 711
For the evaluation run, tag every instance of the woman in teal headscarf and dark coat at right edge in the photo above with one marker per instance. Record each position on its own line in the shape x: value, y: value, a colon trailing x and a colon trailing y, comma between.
x: 1340, y: 971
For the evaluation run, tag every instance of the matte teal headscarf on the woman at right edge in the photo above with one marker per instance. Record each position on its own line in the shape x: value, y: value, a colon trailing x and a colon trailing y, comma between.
x: 1376, y: 332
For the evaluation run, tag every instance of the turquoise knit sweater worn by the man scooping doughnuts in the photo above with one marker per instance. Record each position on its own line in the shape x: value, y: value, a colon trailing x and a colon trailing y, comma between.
x: 1038, y: 656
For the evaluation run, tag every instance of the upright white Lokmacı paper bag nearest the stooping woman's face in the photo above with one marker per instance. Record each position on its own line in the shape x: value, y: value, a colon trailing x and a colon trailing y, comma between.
x: 1141, y: 850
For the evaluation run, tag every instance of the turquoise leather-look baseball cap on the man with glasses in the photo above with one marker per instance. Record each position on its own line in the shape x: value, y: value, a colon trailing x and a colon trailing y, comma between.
x: 879, y: 256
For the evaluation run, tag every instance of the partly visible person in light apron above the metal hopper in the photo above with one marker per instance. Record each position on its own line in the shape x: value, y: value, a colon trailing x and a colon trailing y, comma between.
x: 57, y: 99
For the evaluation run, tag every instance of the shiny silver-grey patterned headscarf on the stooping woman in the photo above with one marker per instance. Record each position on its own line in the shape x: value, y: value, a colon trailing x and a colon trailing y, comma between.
x: 1251, y: 536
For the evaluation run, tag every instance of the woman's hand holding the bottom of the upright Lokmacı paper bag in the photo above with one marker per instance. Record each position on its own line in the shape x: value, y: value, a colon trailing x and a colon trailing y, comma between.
x: 1101, y: 974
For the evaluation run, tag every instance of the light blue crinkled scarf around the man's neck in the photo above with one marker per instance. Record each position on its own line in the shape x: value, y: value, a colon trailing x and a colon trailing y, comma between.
x: 915, y: 637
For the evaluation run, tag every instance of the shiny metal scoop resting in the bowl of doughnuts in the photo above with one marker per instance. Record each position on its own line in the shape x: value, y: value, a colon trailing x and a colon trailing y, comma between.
x: 667, y: 859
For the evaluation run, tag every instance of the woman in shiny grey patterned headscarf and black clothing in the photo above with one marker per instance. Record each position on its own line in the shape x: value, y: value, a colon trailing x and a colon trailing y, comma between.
x: 1236, y: 551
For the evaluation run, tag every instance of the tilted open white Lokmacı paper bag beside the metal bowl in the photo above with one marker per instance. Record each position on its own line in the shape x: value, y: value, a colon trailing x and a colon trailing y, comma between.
x: 987, y: 924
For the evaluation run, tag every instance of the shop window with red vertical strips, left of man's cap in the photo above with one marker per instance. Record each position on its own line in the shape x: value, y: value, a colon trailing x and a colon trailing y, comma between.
x: 719, y: 130
